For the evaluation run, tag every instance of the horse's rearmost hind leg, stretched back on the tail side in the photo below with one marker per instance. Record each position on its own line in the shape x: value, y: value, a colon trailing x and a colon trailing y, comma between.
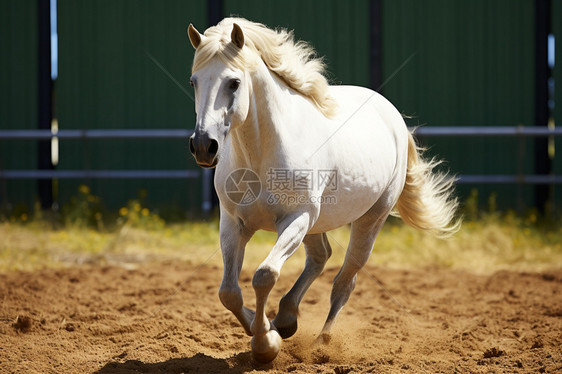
x: 363, y: 234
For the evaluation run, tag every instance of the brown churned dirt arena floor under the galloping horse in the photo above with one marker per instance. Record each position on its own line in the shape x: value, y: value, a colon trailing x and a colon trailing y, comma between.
x: 167, y: 318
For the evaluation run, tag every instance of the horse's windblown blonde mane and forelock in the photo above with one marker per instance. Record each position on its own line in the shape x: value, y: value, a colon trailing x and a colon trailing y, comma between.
x: 294, y: 62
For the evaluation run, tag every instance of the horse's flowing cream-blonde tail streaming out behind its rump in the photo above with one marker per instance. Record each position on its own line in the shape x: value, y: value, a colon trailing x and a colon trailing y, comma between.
x: 427, y: 201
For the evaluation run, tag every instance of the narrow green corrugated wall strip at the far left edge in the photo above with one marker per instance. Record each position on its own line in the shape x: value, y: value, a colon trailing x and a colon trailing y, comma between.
x: 18, y: 96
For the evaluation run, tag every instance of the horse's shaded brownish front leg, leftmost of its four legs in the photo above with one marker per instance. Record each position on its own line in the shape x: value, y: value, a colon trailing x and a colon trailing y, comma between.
x: 234, y: 237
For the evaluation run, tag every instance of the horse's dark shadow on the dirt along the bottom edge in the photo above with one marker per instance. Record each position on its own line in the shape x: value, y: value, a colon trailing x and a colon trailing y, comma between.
x: 199, y: 363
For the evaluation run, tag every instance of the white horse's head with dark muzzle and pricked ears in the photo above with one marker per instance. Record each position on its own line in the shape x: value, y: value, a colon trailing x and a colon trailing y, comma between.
x: 221, y: 88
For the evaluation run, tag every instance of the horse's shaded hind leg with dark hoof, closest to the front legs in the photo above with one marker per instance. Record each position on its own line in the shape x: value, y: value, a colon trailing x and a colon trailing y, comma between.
x: 317, y: 253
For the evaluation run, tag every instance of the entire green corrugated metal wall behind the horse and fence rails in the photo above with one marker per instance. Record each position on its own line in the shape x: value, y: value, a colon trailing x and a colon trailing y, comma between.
x: 473, y: 64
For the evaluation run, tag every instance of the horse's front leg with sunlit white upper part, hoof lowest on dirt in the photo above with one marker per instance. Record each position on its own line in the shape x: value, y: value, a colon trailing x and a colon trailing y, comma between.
x: 266, y: 341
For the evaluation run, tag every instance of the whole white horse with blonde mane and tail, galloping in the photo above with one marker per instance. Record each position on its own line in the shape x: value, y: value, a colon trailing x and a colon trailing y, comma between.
x: 310, y: 157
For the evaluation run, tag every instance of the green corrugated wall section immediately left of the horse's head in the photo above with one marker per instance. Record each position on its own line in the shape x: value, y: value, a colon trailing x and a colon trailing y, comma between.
x: 107, y: 81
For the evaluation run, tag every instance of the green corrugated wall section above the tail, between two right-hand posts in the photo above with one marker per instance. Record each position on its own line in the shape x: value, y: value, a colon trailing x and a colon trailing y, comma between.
x: 473, y: 65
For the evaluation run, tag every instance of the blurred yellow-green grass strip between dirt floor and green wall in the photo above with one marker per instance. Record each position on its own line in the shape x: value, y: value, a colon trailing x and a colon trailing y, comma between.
x: 488, y: 244
